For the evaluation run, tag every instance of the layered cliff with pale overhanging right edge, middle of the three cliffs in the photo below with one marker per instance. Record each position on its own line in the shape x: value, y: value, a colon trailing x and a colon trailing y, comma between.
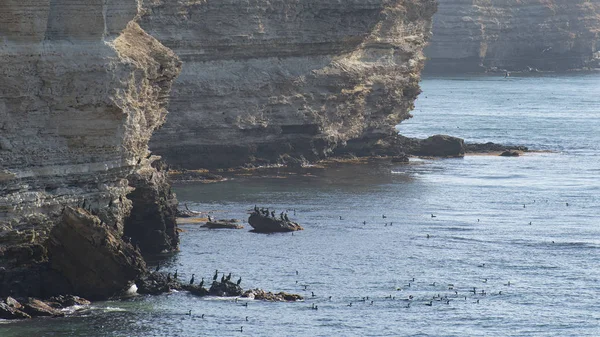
x: 264, y: 78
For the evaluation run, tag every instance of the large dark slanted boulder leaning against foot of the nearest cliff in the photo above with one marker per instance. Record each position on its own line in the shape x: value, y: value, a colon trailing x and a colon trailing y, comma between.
x: 96, y: 263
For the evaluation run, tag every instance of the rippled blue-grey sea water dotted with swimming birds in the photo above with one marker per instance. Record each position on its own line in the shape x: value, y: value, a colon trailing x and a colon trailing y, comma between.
x: 499, y: 225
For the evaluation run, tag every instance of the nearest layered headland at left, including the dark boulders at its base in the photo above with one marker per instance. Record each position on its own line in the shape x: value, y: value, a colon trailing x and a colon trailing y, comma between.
x: 83, y: 89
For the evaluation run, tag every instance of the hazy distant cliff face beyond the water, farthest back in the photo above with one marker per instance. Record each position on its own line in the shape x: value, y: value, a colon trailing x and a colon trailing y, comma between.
x: 475, y: 35
